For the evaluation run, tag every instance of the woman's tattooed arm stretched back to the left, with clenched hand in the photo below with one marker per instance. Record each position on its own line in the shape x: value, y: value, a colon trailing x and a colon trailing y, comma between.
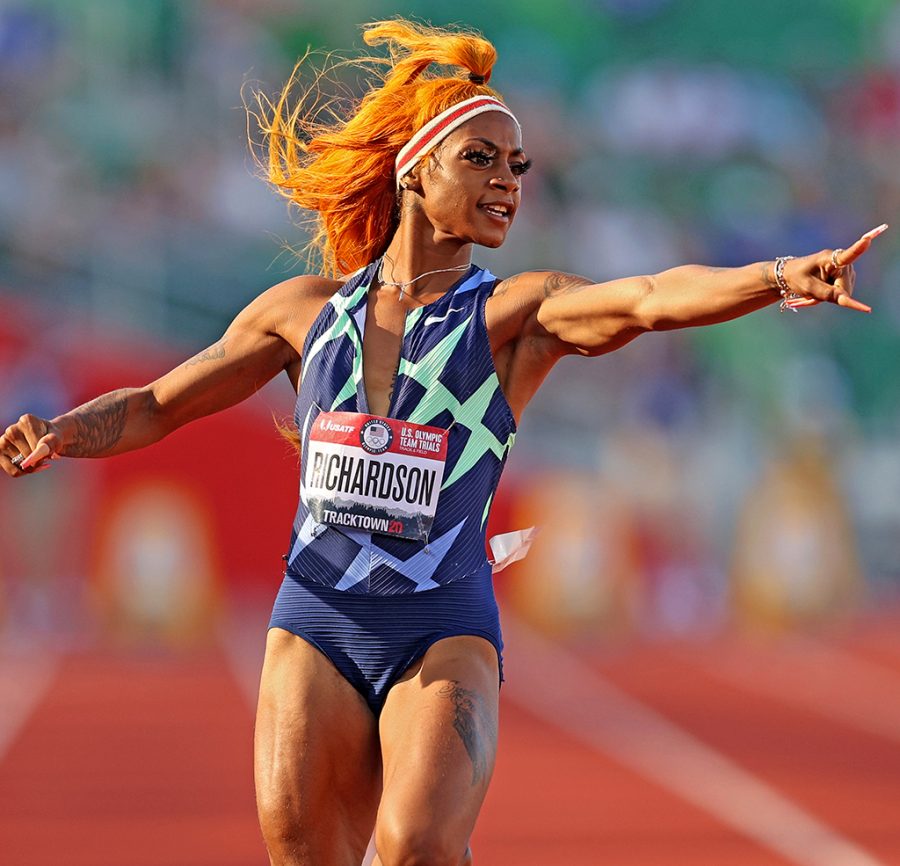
x: 262, y: 341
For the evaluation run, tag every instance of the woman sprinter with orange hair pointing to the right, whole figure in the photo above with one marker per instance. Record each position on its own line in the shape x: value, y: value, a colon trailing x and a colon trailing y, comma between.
x: 378, y: 700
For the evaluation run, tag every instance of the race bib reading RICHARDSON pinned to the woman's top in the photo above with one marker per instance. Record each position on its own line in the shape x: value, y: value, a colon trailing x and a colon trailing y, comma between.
x: 375, y: 474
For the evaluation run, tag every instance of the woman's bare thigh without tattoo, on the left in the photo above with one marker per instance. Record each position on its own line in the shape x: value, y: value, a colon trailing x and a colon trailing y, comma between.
x: 317, y: 758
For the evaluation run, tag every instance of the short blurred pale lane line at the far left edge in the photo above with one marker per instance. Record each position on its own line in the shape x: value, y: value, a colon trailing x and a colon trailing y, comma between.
x: 24, y: 680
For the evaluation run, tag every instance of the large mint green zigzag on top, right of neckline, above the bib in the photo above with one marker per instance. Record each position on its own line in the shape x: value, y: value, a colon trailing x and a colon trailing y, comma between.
x: 438, y: 399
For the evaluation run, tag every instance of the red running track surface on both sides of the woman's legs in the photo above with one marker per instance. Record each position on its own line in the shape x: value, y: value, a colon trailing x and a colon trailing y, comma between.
x: 138, y: 759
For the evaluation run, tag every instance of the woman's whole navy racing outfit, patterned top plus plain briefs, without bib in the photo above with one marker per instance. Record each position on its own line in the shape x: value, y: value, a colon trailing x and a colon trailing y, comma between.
x: 359, y: 597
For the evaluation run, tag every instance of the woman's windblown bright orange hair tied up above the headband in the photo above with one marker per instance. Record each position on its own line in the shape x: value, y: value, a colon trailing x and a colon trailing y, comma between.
x: 343, y: 170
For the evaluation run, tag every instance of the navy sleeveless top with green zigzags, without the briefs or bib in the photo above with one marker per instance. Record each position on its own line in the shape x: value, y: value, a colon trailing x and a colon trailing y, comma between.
x: 446, y: 378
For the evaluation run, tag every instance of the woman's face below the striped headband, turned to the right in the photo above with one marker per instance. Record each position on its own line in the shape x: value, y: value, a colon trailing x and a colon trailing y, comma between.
x: 471, y: 184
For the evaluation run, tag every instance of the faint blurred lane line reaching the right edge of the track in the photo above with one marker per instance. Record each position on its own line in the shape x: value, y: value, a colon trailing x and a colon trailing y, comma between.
x: 818, y: 677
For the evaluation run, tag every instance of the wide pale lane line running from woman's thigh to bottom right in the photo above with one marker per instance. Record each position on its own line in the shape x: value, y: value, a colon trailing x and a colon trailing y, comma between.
x: 554, y: 684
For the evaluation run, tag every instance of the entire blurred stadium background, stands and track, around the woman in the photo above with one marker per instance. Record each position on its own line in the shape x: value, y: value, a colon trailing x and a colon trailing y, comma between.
x: 728, y: 494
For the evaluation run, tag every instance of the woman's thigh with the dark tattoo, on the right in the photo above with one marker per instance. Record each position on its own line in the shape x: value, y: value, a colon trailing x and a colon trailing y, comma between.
x: 439, y: 741
